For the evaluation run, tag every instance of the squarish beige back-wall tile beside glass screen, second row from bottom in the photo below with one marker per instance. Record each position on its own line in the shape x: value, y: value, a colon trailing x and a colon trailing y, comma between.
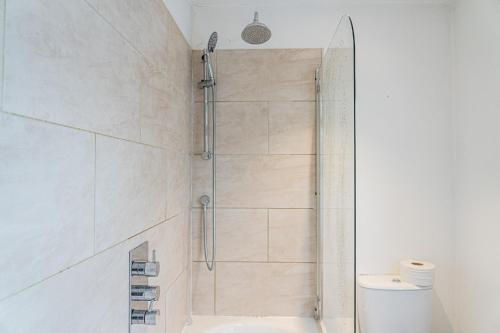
x: 292, y: 235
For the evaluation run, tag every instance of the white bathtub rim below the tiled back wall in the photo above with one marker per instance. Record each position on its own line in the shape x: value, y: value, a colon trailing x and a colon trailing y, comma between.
x: 227, y: 324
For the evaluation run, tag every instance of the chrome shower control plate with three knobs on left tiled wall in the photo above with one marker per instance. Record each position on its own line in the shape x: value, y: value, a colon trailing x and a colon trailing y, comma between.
x: 142, y: 296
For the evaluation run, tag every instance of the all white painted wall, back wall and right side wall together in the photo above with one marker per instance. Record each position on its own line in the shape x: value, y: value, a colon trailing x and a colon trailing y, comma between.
x: 405, y: 133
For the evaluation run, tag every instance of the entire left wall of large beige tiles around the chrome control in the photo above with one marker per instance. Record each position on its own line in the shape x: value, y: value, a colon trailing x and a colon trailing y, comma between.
x: 95, y: 147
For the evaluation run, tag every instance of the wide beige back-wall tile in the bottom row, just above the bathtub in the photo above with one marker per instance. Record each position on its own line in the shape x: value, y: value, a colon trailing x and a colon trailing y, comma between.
x: 270, y: 289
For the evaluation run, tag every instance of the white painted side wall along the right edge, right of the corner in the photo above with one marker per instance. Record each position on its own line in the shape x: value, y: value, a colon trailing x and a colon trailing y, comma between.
x: 477, y: 161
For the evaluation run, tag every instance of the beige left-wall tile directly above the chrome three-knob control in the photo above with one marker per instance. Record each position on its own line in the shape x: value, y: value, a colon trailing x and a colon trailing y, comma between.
x: 131, y: 189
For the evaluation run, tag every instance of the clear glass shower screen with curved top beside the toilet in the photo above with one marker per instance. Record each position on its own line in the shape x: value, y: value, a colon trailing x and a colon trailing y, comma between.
x: 336, y: 182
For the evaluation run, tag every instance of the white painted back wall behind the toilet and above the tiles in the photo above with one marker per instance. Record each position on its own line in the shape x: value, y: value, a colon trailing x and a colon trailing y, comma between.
x: 404, y: 122
